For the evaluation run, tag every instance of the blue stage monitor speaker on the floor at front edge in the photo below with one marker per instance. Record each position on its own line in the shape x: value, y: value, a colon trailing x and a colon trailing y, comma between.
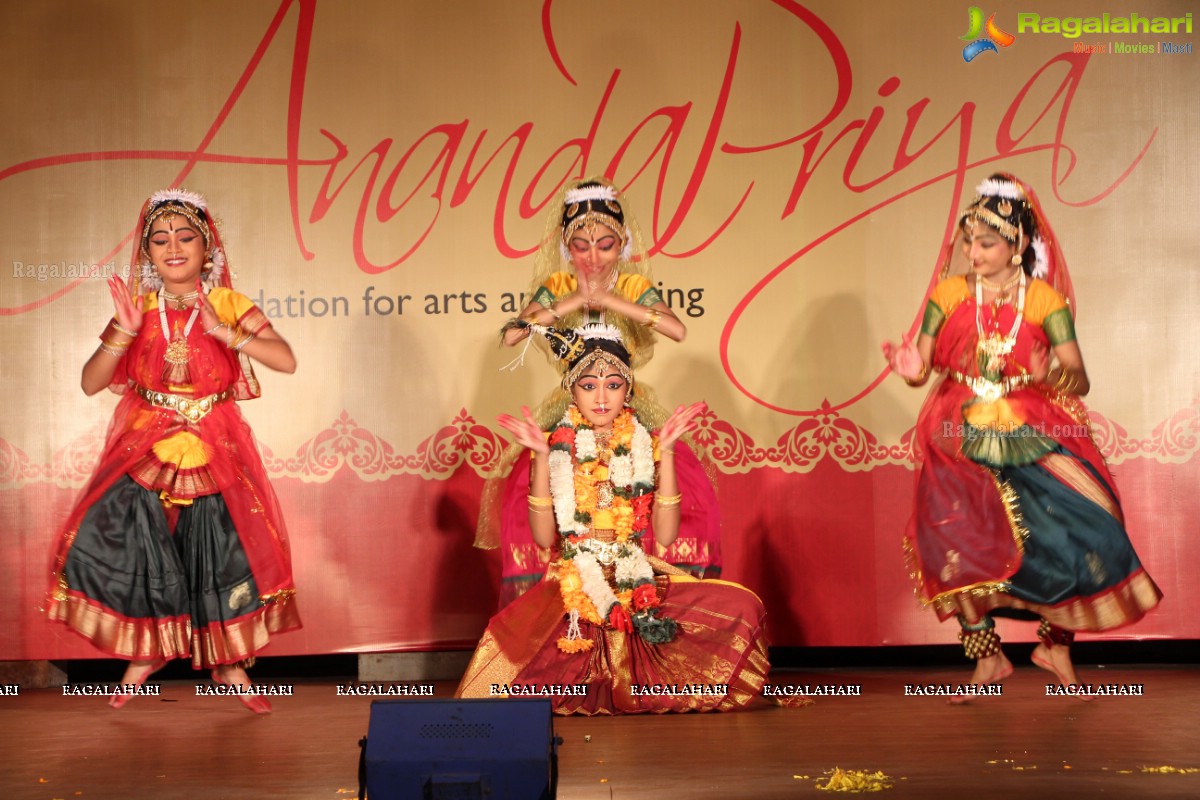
x: 460, y: 750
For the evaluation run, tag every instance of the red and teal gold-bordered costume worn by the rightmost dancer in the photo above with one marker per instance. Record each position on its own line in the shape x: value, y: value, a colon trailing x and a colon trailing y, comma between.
x: 1016, y: 508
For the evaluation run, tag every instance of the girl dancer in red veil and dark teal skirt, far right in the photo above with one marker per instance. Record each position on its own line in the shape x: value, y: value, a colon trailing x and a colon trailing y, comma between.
x: 1017, y: 514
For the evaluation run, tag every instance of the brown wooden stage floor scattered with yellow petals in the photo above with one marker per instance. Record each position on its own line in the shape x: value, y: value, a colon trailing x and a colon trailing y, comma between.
x: 1021, y: 745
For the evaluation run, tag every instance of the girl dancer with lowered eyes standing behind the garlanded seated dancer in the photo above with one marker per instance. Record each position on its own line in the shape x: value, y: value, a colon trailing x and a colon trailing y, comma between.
x: 593, y: 269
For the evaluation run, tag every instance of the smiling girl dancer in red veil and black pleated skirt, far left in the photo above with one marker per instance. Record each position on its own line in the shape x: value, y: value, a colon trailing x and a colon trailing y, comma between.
x: 177, y: 549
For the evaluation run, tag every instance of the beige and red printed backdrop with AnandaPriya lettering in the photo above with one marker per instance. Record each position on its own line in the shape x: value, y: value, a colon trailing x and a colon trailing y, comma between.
x: 381, y: 171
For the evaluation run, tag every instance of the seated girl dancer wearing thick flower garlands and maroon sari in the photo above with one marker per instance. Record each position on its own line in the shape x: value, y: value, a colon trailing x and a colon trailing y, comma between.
x: 613, y: 629
